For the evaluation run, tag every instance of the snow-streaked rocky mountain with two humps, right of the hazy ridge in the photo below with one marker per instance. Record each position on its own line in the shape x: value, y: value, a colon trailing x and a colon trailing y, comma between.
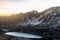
x: 49, y: 18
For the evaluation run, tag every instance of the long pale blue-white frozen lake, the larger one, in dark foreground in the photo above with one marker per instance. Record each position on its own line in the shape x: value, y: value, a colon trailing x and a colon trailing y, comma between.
x: 24, y: 35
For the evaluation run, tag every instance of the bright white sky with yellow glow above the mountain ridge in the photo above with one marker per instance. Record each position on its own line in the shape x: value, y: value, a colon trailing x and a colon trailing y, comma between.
x: 8, y: 7
